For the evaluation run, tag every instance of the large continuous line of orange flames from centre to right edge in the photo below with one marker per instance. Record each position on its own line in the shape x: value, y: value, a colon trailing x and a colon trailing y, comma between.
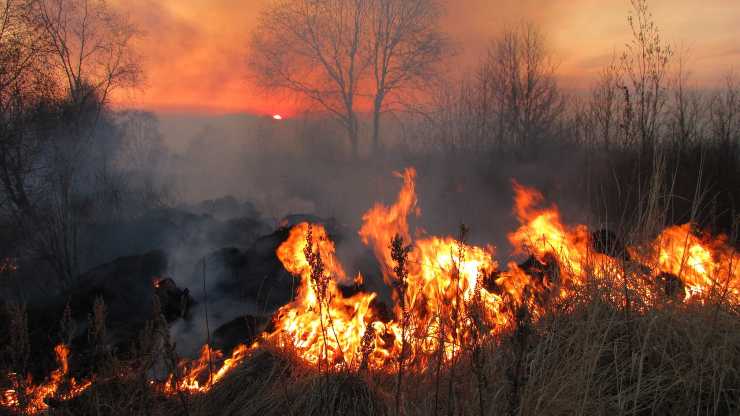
x: 448, y: 283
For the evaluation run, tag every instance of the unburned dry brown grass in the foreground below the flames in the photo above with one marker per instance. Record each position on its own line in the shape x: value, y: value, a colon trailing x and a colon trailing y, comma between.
x: 673, y: 359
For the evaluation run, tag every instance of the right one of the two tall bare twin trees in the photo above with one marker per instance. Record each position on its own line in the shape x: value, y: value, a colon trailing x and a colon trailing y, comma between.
x: 404, y: 48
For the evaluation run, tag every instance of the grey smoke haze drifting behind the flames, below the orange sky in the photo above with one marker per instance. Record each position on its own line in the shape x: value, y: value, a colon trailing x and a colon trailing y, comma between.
x: 219, y: 183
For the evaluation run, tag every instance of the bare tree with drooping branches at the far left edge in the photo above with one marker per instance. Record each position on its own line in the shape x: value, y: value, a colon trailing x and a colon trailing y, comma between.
x: 70, y: 55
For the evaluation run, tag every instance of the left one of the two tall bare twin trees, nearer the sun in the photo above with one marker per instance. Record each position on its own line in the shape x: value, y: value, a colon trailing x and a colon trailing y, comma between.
x: 313, y: 48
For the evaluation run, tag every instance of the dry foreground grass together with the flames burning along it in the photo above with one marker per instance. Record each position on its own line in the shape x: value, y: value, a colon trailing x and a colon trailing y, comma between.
x: 569, y: 330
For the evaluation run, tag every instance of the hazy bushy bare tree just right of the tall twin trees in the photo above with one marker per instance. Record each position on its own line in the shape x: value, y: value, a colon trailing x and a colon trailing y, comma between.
x: 511, y: 101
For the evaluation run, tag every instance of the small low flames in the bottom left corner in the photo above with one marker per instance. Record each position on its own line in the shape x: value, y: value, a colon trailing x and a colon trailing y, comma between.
x: 33, y: 399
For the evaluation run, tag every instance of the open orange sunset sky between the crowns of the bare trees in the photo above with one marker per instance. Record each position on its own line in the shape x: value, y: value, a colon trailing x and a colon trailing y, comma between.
x: 193, y: 52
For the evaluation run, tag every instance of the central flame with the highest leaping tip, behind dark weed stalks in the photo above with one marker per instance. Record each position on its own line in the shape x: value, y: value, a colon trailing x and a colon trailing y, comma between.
x: 444, y: 277
